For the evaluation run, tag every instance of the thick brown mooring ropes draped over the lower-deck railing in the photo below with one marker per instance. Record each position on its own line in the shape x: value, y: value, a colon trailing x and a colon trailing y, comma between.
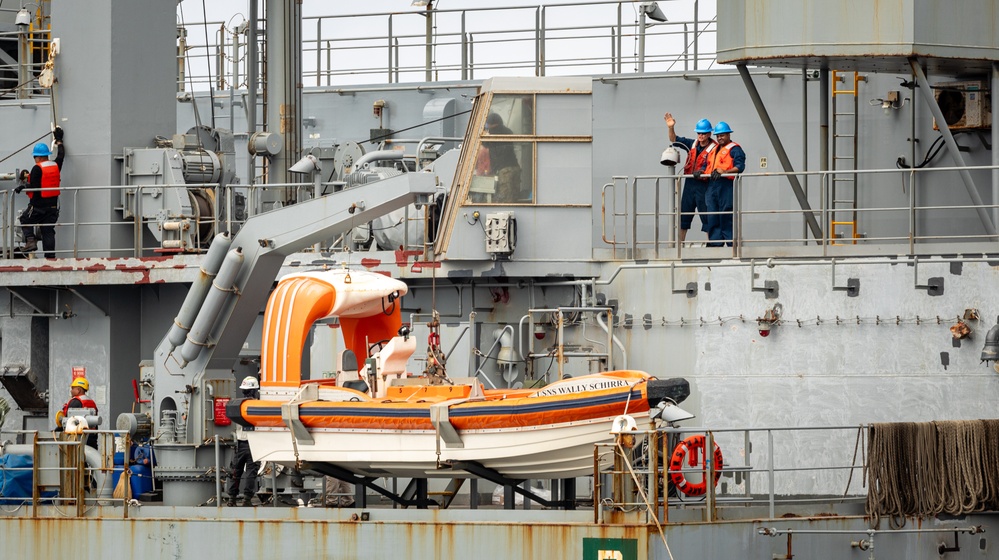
x: 927, y: 468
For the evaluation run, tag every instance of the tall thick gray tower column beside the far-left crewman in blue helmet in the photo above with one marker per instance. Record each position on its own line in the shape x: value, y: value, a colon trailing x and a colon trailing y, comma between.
x: 116, y: 78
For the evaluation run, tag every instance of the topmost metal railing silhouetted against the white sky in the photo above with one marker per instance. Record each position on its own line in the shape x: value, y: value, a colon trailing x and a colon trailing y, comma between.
x: 464, y: 44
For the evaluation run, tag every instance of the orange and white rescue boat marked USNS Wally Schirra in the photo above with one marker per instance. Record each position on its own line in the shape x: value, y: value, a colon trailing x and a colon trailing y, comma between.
x: 414, y: 426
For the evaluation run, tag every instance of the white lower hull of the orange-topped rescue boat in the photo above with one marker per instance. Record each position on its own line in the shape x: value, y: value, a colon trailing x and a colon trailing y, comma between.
x: 548, y: 451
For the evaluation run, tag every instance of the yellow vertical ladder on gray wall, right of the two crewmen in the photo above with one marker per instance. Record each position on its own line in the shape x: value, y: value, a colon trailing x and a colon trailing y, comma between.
x: 843, y: 187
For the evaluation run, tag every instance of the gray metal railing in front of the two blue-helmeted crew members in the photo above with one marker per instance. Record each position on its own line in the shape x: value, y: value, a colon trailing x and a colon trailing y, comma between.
x: 628, y: 232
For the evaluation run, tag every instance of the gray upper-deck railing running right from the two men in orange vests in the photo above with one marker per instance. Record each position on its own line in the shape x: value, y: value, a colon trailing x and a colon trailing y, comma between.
x: 640, y: 215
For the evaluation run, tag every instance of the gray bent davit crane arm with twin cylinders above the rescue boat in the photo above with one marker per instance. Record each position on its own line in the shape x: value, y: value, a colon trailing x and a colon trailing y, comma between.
x: 235, y: 280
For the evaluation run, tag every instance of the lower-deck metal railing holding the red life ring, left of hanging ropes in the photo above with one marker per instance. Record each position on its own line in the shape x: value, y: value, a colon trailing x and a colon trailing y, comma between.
x: 642, y: 477
